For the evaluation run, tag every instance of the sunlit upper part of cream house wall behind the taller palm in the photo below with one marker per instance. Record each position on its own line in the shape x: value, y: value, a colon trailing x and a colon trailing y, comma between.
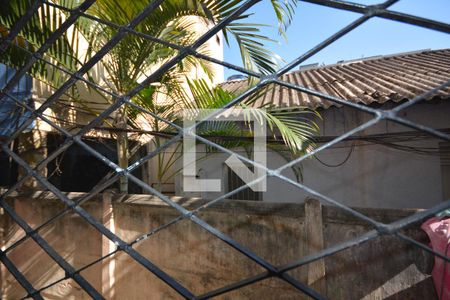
x: 90, y: 102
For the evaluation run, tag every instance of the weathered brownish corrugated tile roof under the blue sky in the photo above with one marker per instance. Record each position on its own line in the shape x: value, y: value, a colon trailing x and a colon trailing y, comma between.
x: 379, y: 79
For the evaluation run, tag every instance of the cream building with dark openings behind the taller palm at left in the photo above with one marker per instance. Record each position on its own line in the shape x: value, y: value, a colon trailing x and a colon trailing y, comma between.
x: 76, y: 169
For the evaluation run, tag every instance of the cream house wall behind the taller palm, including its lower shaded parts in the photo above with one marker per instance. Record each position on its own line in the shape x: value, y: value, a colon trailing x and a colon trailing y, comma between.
x: 68, y: 113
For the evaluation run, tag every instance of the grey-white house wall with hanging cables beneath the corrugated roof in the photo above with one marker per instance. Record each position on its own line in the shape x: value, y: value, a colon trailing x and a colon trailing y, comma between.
x: 373, y: 176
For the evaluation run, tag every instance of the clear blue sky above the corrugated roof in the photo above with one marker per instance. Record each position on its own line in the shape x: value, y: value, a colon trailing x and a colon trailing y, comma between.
x: 313, y: 23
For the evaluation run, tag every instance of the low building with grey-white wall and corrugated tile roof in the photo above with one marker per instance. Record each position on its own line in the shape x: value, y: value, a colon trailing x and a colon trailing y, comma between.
x: 387, y: 165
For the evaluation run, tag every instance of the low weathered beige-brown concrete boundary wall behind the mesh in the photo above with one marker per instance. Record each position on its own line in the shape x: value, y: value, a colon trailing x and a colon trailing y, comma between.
x: 381, y: 269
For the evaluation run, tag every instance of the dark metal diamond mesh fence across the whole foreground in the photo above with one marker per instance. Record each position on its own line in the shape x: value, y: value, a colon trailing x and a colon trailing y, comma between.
x: 379, y: 229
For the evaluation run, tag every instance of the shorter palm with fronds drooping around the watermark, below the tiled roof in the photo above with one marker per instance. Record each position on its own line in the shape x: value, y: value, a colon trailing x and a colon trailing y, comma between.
x: 291, y: 128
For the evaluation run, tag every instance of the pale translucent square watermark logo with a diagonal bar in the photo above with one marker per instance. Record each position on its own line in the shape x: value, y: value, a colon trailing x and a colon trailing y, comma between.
x: 193, y: 120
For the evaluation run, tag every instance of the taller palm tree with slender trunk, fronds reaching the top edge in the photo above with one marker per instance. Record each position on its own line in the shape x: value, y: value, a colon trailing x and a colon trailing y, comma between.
x: 134, y: 56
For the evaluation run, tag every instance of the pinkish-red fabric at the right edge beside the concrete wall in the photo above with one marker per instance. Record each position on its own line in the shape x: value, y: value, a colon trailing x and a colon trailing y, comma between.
x: 439, y: 232
